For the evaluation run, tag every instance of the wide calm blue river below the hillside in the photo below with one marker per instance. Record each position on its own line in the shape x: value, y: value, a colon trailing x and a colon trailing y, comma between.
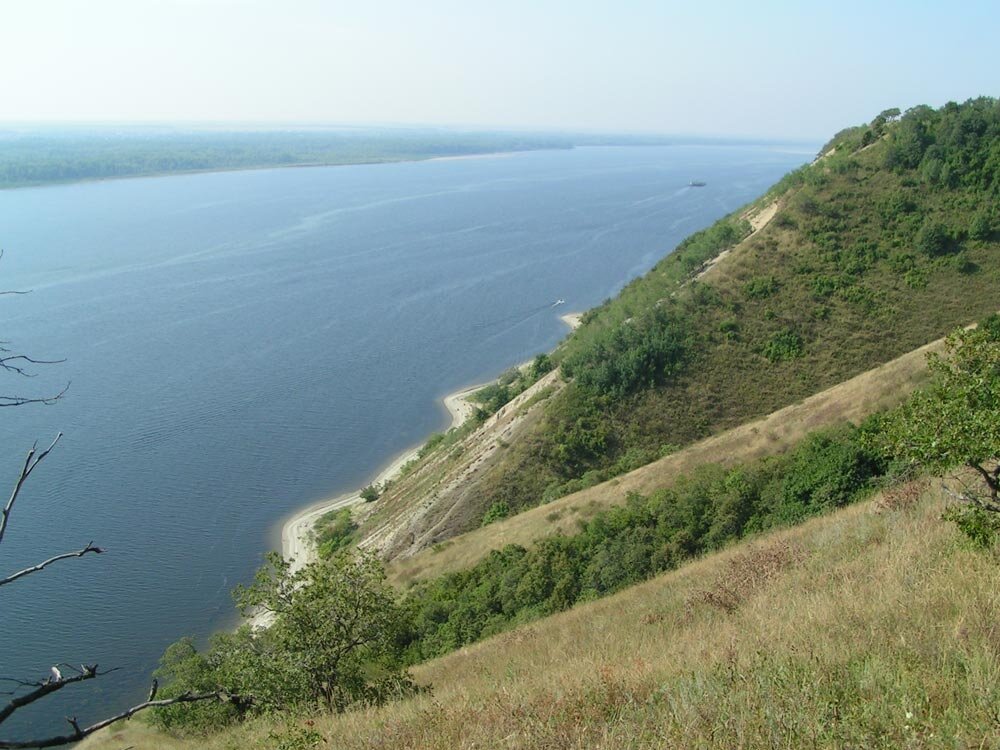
x: 242, y: 344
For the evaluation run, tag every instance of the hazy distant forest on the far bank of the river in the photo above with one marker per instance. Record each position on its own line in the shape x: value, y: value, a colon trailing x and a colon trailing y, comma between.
x: 44, y: 155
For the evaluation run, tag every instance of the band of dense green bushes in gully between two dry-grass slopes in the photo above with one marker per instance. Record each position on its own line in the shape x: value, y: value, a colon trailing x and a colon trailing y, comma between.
x: 624, y: 545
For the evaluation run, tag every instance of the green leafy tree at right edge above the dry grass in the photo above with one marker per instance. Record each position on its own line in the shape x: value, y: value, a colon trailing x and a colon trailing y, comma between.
x: 955, y: 421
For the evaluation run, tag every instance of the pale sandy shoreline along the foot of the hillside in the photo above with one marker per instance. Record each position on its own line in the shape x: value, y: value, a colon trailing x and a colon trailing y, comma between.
x: 296, y: 530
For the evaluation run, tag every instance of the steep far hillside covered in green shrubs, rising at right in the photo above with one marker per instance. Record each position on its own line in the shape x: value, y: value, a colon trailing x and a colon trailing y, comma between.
x: 885, y: 243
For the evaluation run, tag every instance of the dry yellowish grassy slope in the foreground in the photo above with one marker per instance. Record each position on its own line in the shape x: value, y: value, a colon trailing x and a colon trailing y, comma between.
x: 853, y: 630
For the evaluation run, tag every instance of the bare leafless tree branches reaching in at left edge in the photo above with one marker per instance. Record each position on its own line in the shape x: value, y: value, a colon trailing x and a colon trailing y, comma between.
x: 25, y: 692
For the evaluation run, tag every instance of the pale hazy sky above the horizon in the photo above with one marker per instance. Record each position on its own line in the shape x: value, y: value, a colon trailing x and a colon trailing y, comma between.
x: 774, y: 68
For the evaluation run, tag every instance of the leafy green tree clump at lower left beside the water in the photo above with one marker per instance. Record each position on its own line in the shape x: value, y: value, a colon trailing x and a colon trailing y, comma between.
x: 332, y: 643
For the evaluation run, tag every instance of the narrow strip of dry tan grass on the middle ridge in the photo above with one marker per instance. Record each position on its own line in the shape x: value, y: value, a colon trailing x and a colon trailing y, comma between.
x: 852, y: 401
